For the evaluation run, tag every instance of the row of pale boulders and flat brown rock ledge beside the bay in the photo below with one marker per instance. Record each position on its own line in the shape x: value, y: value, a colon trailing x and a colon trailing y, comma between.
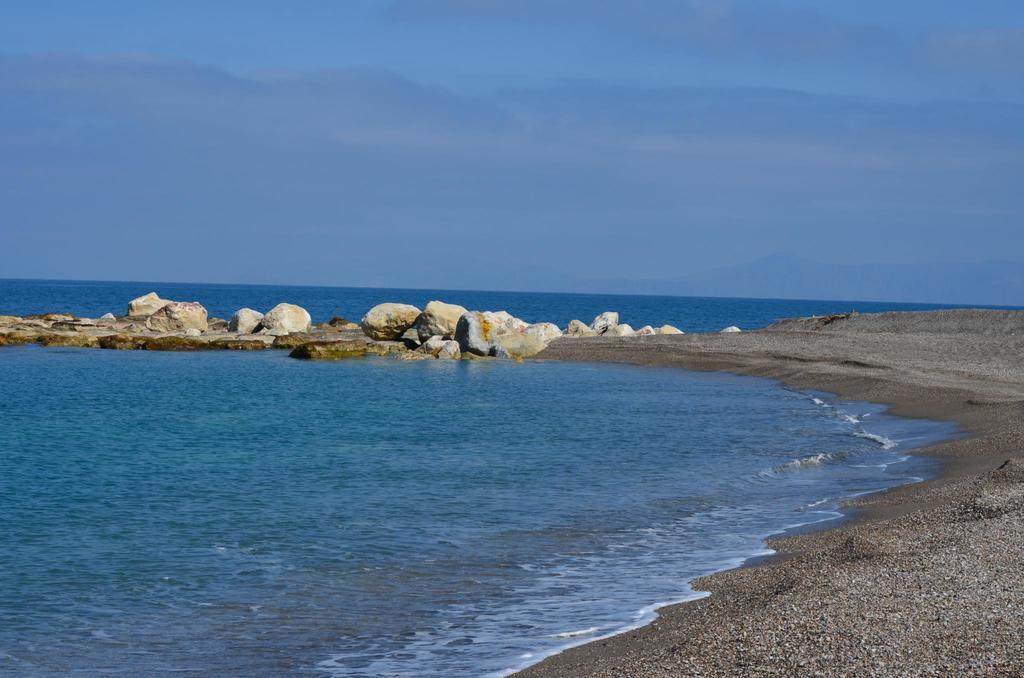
x: 441, y: 331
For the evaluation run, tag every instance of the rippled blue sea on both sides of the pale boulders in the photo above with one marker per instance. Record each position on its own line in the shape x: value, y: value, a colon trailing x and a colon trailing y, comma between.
x: 244, y: 514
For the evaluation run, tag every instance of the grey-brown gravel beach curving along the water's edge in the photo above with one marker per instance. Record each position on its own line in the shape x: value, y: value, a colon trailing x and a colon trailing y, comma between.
x: 923, y: 580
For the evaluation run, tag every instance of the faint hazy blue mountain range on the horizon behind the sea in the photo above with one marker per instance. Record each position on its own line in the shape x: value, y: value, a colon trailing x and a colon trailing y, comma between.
x: 782, y: 276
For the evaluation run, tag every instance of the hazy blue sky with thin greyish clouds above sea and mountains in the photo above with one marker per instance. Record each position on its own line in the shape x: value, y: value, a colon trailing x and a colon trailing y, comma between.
x: 474, y: 143
